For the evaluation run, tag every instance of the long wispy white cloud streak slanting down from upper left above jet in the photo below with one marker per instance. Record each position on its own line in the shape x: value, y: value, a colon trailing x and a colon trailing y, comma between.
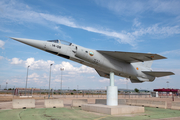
x: 13, y: 12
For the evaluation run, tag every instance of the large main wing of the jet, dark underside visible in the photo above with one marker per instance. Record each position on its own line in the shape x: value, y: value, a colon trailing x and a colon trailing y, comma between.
x: 131, y: 57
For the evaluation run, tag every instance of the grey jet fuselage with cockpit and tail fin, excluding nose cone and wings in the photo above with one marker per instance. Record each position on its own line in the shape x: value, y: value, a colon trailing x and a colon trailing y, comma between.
x: 98, y: 61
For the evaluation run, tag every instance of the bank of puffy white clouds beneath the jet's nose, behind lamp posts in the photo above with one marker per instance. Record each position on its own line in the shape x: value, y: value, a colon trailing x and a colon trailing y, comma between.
x: 45, y: 65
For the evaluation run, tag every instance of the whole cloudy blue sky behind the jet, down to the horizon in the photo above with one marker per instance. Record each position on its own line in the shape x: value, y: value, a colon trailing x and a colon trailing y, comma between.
x: 135, y: 26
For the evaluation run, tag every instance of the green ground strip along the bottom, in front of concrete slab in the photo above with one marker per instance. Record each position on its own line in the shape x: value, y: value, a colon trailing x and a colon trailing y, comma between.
x: 78, y: 114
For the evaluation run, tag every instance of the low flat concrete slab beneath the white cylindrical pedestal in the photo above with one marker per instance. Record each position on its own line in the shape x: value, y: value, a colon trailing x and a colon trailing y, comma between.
x: 112, y: 110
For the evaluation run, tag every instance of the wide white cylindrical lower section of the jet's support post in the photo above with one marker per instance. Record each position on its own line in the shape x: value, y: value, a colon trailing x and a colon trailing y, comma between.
x: 112, y: 96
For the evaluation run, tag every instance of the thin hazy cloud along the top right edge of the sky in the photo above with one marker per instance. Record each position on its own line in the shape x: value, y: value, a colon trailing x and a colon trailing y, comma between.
x: 130, y: 7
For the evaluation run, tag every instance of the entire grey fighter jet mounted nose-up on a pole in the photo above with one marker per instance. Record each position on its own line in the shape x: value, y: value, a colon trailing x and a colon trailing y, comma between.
x: 135, y: 66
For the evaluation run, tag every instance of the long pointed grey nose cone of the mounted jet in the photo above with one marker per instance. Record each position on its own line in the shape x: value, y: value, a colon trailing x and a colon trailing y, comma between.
x: 34, y: 43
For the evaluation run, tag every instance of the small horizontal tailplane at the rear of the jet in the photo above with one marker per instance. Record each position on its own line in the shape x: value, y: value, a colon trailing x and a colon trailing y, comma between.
x: 158, y: 73
